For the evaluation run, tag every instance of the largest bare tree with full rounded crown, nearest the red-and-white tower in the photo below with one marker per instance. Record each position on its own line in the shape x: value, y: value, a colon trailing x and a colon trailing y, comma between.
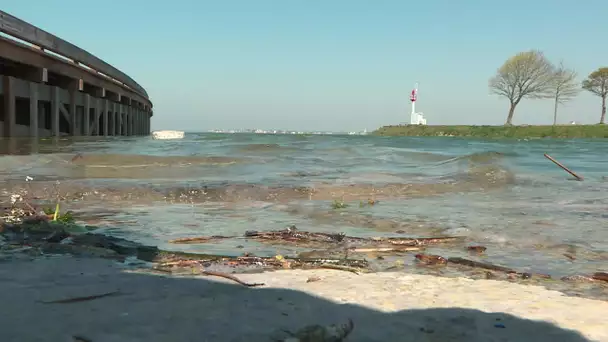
x: 527, y: 74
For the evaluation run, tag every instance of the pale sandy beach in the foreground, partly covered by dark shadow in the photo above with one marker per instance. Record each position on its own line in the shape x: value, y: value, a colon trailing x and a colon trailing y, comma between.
x: 383, y: 307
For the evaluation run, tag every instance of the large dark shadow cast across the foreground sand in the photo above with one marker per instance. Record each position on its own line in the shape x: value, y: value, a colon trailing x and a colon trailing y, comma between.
x: 156, y: 308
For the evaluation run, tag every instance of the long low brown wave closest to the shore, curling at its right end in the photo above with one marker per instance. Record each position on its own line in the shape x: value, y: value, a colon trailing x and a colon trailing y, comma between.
x: 475, y: 179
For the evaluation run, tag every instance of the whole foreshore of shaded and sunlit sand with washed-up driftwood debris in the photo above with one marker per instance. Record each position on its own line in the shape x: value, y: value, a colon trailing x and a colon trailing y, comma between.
x: 102, y: 288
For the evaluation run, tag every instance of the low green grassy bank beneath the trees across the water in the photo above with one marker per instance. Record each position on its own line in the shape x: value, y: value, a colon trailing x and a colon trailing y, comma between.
x: 564, y: 131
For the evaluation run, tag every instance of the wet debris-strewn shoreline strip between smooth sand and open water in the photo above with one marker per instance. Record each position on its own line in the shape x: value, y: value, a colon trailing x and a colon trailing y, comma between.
x: 40, y: 235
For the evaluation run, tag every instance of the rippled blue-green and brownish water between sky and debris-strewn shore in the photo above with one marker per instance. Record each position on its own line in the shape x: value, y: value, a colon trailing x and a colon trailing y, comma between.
x: 502, y: 194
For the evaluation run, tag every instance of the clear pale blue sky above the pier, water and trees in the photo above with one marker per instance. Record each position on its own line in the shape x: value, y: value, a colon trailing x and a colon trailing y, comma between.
x: 329, y: 64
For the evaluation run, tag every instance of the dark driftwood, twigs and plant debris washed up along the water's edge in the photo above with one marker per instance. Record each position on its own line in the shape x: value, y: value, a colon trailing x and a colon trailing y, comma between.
x: 34, y: 234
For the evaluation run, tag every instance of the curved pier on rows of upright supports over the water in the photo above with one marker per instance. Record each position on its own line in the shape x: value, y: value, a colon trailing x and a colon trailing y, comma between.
x: 50, y: 87
